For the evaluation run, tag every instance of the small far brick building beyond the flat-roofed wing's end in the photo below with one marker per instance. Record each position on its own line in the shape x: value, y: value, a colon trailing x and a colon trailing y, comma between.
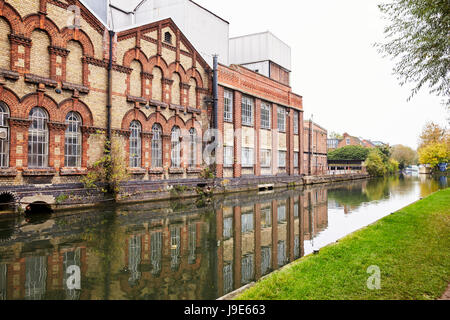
x: 315, y: 152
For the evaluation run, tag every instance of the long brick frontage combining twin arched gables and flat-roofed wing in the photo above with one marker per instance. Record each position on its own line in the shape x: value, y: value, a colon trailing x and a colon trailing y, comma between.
x: 67, y: 82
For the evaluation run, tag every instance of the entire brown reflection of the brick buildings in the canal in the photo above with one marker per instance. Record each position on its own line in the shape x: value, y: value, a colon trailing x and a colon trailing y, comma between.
x: 162, y: 253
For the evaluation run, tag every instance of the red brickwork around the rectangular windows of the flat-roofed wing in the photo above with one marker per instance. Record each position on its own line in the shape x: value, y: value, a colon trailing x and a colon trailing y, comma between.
x: 240, y: 82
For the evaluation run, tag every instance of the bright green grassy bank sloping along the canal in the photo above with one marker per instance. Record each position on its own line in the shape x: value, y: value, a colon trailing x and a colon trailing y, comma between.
x: 411, y: 248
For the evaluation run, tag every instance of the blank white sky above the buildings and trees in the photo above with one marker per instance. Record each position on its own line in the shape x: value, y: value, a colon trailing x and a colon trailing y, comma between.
x: 344, y: 81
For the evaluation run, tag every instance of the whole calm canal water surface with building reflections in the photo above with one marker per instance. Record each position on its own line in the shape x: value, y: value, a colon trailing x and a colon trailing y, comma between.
x: 188, y: 249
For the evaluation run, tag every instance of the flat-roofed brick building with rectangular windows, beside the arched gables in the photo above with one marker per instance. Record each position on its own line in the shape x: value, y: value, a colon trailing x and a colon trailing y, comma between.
x: 266, y: 117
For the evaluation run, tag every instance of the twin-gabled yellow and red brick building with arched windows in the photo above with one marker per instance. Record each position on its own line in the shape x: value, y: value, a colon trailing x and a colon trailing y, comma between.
x: 54, y: 95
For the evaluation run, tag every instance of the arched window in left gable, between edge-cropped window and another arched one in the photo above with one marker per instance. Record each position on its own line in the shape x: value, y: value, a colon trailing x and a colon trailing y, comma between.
x: 38, y: 139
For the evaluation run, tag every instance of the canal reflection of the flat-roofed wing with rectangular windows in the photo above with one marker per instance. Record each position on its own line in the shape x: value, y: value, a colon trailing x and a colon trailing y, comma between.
x: 262, y: 234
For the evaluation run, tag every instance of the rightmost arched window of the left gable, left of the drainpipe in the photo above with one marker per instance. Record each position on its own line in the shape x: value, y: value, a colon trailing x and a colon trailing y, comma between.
x: 72, y: 145
